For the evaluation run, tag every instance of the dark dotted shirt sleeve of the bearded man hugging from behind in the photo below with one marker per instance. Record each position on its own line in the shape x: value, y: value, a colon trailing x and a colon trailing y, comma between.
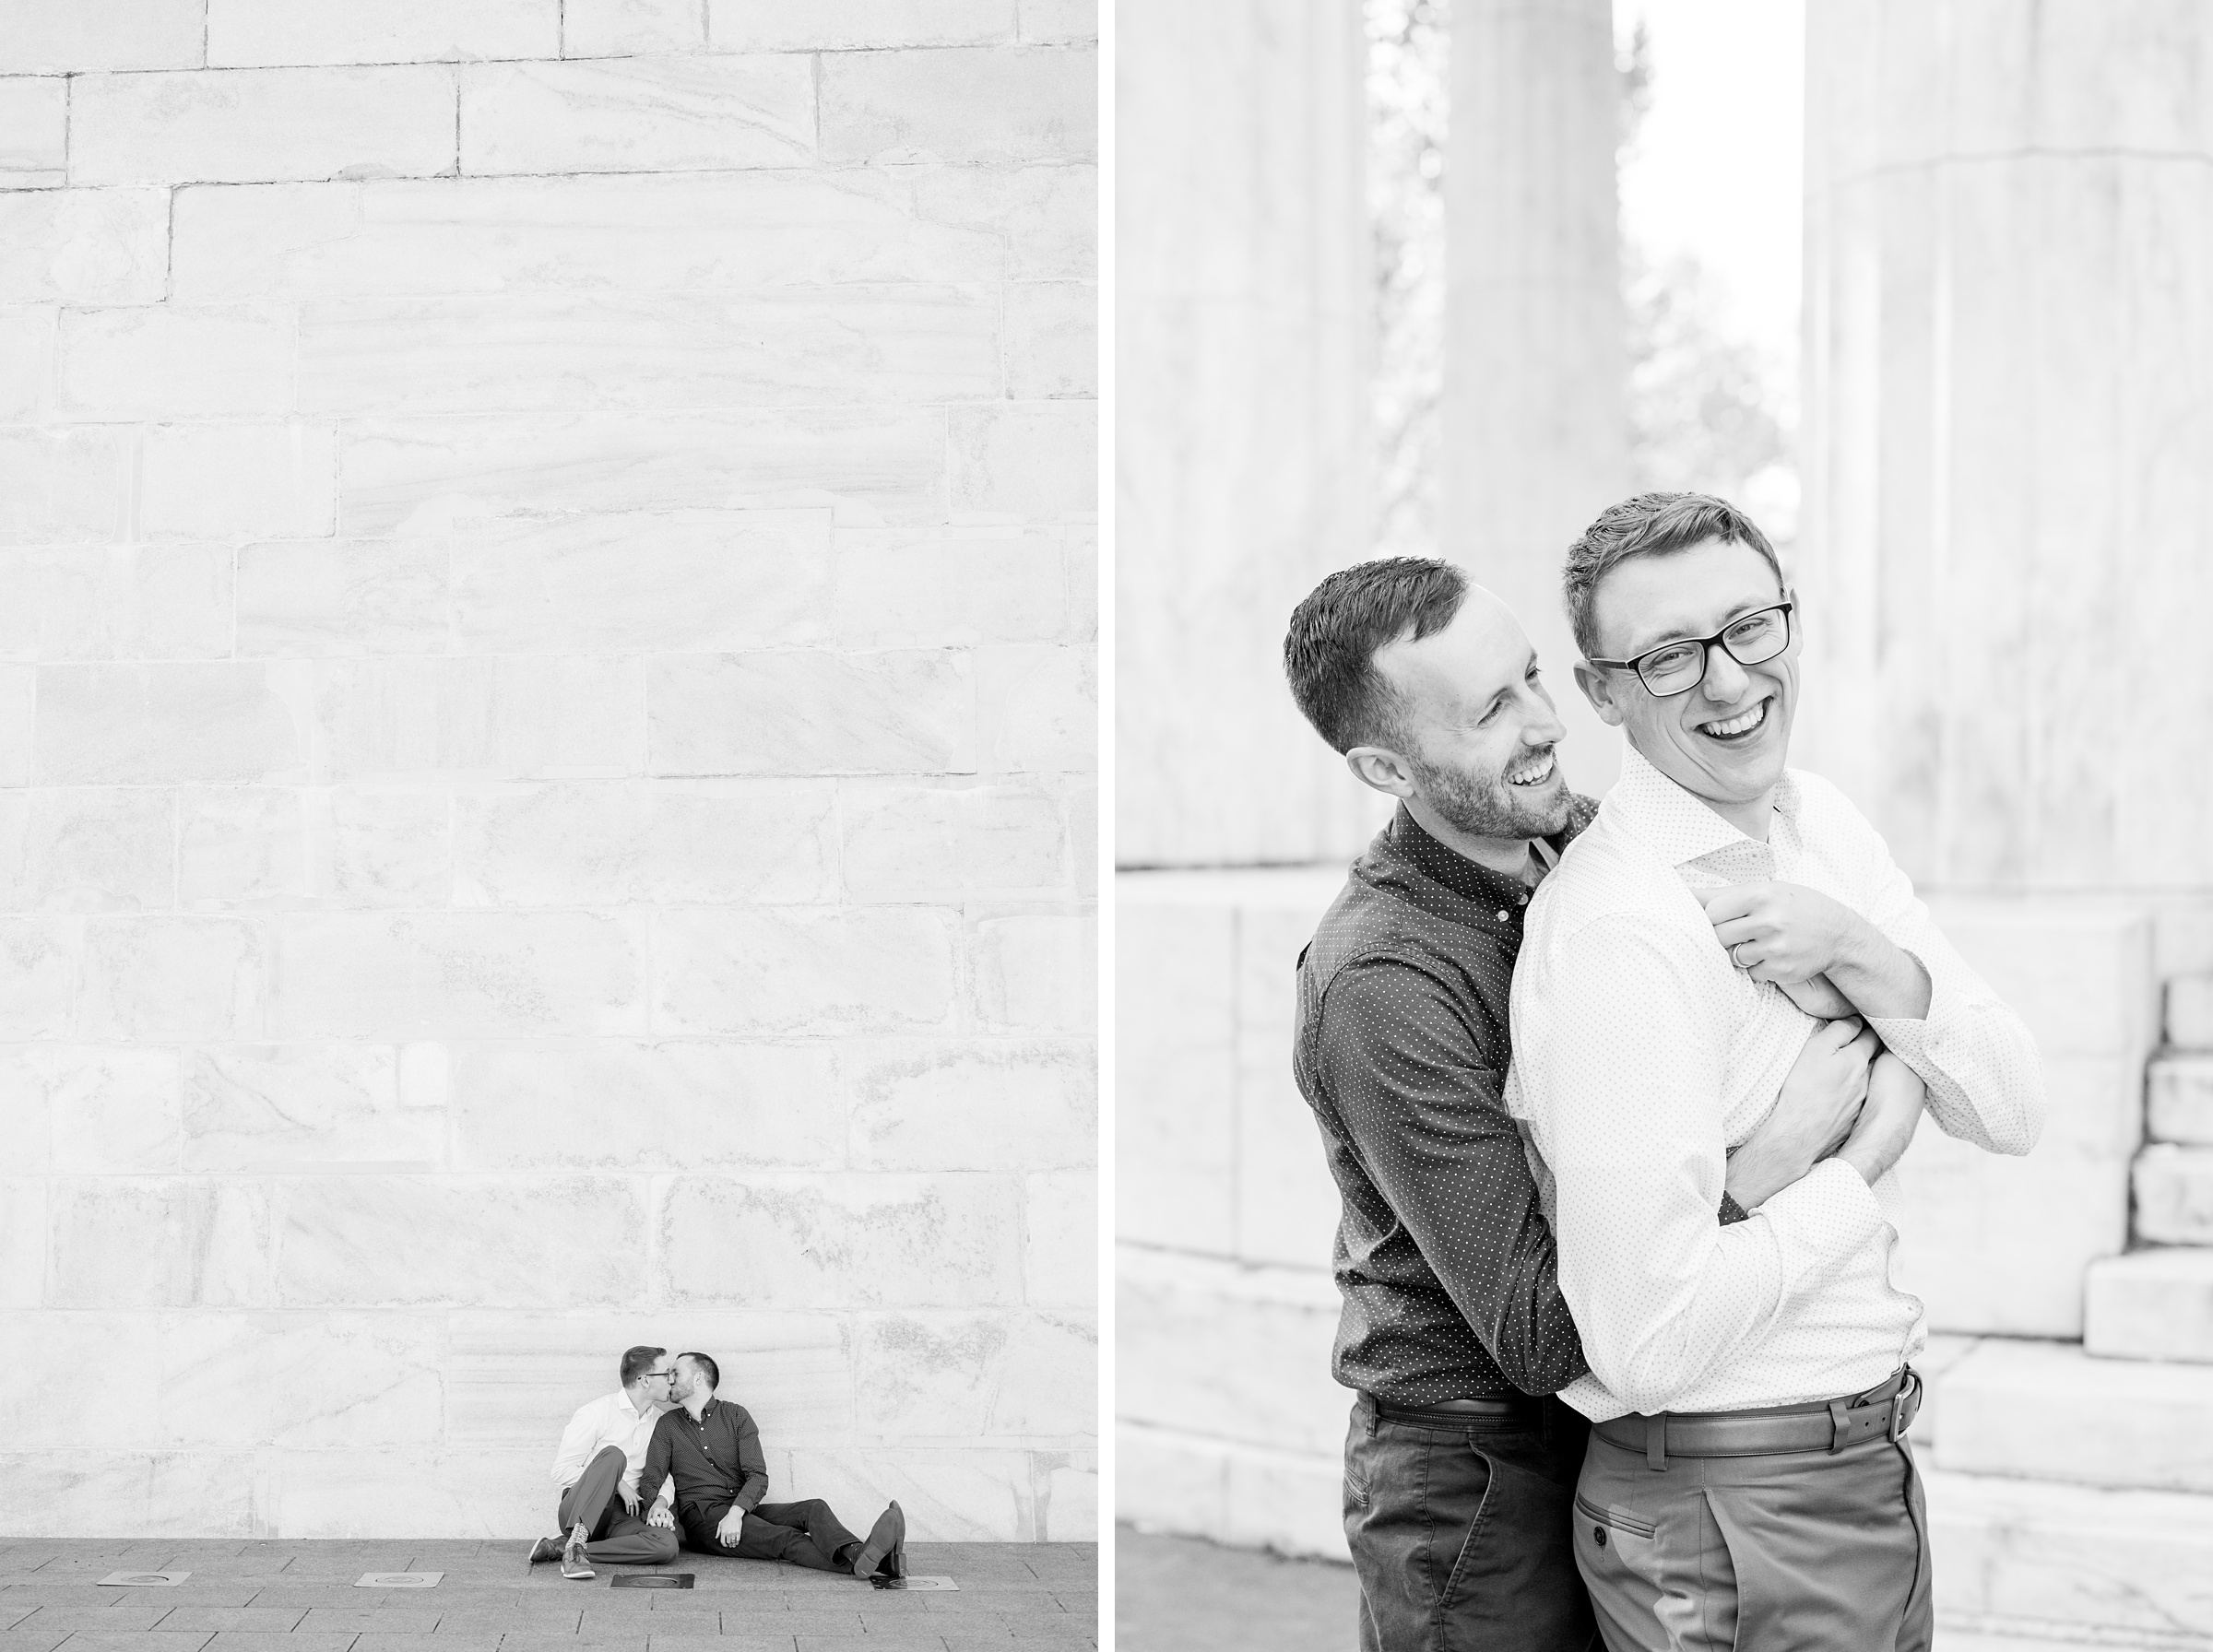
x: 1428, y: 1125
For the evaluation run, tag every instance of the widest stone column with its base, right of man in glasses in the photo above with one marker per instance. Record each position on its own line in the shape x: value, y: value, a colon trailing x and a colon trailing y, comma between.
x: 2008, y: 466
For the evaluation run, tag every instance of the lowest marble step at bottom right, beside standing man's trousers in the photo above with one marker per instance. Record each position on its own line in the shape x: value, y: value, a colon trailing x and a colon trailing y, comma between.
x: 2037, y: 1565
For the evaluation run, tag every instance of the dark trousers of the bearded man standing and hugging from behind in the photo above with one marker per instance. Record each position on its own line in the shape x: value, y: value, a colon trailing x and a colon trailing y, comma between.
x: 1464, y: 1536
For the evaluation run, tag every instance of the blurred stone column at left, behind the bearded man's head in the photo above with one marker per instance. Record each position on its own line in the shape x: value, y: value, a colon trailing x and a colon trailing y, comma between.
x: 1245, y: 426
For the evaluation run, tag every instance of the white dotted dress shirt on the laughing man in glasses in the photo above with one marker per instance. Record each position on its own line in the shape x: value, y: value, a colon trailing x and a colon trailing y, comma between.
x: 1641, y: 1056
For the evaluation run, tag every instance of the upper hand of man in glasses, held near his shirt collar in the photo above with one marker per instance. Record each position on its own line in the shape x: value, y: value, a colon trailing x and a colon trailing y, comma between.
x: 1794, y: 937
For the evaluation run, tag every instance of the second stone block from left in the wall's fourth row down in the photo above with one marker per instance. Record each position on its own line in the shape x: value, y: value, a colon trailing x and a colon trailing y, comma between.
x: 160, y: 362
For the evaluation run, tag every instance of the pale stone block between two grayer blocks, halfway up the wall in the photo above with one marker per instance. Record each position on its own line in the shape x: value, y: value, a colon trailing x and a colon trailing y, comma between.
x: 495, y: 720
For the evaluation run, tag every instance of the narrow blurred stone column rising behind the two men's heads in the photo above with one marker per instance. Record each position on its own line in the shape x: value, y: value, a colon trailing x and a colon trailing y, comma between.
x: 1537, y: 432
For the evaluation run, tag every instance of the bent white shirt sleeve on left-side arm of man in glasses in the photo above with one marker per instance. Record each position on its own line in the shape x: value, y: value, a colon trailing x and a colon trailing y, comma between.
x: 1661, y: 1290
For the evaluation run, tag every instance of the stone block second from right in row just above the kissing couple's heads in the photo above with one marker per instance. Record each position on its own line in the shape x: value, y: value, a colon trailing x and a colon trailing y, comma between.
x: 838, y: 1242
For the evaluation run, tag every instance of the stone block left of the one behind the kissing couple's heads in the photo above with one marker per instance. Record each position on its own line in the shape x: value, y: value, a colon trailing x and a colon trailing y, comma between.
x: 315, y: 1381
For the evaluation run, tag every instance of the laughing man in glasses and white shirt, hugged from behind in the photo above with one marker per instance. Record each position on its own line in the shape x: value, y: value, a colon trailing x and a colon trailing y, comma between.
x: 1747, y: 1481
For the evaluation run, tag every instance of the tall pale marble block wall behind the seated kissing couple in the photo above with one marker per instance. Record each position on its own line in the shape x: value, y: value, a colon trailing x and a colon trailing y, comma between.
x: 546, y: 751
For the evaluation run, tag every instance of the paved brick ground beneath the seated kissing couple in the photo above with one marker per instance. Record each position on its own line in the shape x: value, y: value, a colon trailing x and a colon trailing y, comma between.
x: 278, y: 1596
